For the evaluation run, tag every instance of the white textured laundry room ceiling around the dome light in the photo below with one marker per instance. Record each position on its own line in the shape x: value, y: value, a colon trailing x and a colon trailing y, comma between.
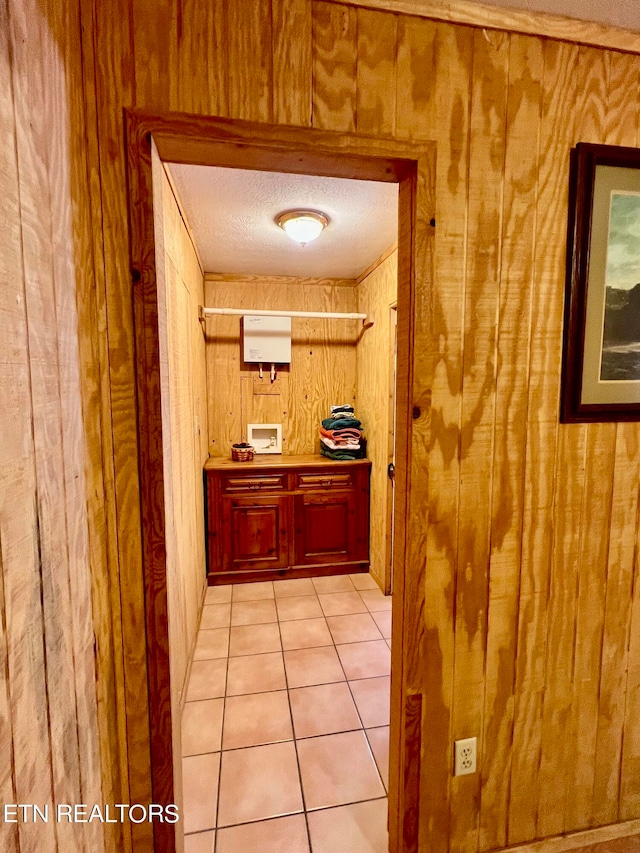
x: 231, y: 215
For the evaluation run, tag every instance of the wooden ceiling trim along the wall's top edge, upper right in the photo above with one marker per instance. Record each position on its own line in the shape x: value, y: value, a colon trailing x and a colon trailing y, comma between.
x: 513, y: 20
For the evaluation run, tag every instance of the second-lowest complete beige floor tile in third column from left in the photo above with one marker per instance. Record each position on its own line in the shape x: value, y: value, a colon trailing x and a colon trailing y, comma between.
x: 323, y: 709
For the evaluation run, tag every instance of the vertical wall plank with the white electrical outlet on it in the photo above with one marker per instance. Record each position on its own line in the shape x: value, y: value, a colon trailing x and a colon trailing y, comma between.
x: 486, y: 164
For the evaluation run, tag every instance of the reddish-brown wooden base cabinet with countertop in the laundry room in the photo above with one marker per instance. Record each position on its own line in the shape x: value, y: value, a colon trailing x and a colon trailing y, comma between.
x: 286, y: 516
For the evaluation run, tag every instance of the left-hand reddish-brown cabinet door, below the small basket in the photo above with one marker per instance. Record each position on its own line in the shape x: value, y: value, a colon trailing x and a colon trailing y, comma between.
x: 254, y: 533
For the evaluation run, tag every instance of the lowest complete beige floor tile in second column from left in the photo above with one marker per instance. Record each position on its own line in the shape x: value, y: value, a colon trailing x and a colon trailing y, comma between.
x: 258, y: 783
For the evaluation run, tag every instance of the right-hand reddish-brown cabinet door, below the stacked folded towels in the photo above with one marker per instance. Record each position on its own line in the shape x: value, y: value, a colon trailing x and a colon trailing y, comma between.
x: 325, y: 528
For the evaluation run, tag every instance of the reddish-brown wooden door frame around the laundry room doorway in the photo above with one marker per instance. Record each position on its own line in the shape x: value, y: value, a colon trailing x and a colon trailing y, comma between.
x: 199, y: 140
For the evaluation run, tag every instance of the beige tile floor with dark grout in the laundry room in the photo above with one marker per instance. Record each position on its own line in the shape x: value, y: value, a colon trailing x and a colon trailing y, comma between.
x: 286, y: 725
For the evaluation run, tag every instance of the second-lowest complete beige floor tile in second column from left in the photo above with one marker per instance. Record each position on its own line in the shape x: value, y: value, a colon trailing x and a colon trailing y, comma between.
x: 256, y: 718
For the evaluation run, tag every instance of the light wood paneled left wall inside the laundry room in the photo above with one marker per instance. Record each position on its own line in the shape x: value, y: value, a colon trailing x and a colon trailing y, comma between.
x: 184, y: 390
